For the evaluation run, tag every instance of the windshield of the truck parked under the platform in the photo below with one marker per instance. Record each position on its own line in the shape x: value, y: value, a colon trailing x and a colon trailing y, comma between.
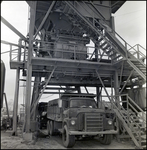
x: 83, y: 103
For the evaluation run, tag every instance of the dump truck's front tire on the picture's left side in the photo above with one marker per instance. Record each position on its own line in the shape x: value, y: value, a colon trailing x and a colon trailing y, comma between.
x: 68, y: 140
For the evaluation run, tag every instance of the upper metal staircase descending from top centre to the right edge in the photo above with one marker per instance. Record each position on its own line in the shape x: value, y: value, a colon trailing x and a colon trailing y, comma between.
x: 108, y: 40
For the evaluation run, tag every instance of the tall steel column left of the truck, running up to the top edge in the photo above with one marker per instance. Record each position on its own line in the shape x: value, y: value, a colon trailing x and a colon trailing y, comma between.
x: 29, y: 66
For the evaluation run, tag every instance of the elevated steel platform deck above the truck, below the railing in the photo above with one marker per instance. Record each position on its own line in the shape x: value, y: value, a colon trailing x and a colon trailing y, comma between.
x: 76, y: 72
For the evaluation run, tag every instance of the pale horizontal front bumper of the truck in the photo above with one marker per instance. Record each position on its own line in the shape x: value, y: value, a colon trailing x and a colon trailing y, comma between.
x: 92, y: 133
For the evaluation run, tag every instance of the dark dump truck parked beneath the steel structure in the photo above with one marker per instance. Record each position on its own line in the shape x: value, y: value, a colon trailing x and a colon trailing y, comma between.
x: 76, y: 116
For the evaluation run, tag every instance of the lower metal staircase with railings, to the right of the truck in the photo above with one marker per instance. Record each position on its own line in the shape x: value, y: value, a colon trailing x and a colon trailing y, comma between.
x: 133, y: 120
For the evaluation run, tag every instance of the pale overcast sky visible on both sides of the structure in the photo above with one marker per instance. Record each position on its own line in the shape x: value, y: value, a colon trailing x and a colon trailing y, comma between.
x: 130, y: 23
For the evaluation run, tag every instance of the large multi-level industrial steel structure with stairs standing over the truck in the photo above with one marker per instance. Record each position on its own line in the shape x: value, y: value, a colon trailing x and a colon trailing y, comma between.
x: 55, y: 54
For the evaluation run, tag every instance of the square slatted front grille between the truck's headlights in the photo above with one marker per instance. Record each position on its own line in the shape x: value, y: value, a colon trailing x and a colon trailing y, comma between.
x: 93, y: 122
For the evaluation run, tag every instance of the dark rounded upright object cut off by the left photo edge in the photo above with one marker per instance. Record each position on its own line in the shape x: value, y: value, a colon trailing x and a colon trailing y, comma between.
x: 2, y: 81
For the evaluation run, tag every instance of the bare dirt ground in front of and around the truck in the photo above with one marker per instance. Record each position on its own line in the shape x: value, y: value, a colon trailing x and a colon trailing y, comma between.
x: 55, y: 142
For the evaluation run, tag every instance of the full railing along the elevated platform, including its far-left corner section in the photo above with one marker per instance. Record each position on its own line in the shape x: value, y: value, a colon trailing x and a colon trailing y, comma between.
x: 64, y: 51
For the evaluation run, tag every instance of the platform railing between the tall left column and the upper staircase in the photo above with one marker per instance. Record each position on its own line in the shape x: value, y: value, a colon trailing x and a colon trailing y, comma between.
x: 68, y: 51
